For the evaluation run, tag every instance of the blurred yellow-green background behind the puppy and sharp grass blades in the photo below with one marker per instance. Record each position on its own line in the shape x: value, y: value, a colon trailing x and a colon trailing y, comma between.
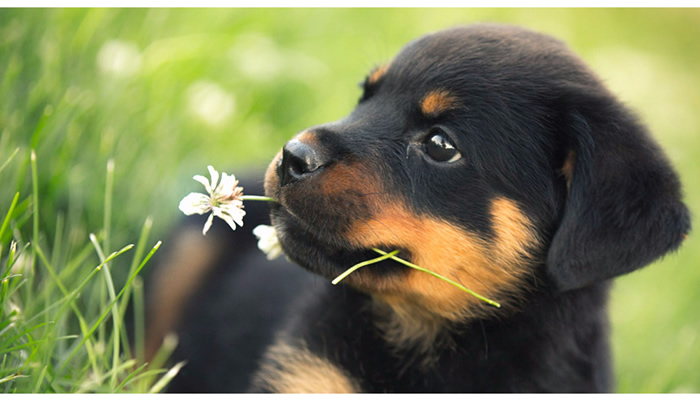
x: 166, y: 92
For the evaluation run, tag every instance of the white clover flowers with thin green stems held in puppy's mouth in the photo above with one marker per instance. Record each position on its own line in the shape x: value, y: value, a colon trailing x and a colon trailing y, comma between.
x: 225, y: 198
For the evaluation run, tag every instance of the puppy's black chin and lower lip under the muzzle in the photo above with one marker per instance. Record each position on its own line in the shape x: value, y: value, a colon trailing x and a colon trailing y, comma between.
x: 324, y: 253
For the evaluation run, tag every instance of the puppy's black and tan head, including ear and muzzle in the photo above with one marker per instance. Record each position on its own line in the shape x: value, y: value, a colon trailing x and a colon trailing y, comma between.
x: 488, y: 154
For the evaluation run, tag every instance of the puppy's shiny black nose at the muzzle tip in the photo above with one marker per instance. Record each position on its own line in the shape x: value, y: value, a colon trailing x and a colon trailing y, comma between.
x: 298, y: 159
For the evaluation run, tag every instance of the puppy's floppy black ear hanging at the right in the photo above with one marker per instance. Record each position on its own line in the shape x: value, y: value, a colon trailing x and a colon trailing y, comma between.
x: 624, y: 207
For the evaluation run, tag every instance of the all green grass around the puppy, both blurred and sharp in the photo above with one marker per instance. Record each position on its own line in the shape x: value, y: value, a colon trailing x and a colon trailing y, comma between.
x: 159, y: 94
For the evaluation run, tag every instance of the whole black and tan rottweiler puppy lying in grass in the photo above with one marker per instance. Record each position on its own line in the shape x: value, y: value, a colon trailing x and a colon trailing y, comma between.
x: 489, y: 154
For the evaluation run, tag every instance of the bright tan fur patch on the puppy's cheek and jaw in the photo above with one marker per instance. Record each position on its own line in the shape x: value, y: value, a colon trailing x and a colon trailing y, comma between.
x: 494, y: 266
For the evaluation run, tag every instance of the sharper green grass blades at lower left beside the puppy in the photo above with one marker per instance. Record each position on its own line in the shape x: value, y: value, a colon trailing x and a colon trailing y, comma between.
x: 50, y: 340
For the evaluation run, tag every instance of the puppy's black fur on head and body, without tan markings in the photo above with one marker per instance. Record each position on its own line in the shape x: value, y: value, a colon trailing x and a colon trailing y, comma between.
x: 524, y: 105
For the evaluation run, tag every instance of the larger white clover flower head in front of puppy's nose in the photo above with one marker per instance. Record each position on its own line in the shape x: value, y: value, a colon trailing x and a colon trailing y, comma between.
x: 224, y: 201
